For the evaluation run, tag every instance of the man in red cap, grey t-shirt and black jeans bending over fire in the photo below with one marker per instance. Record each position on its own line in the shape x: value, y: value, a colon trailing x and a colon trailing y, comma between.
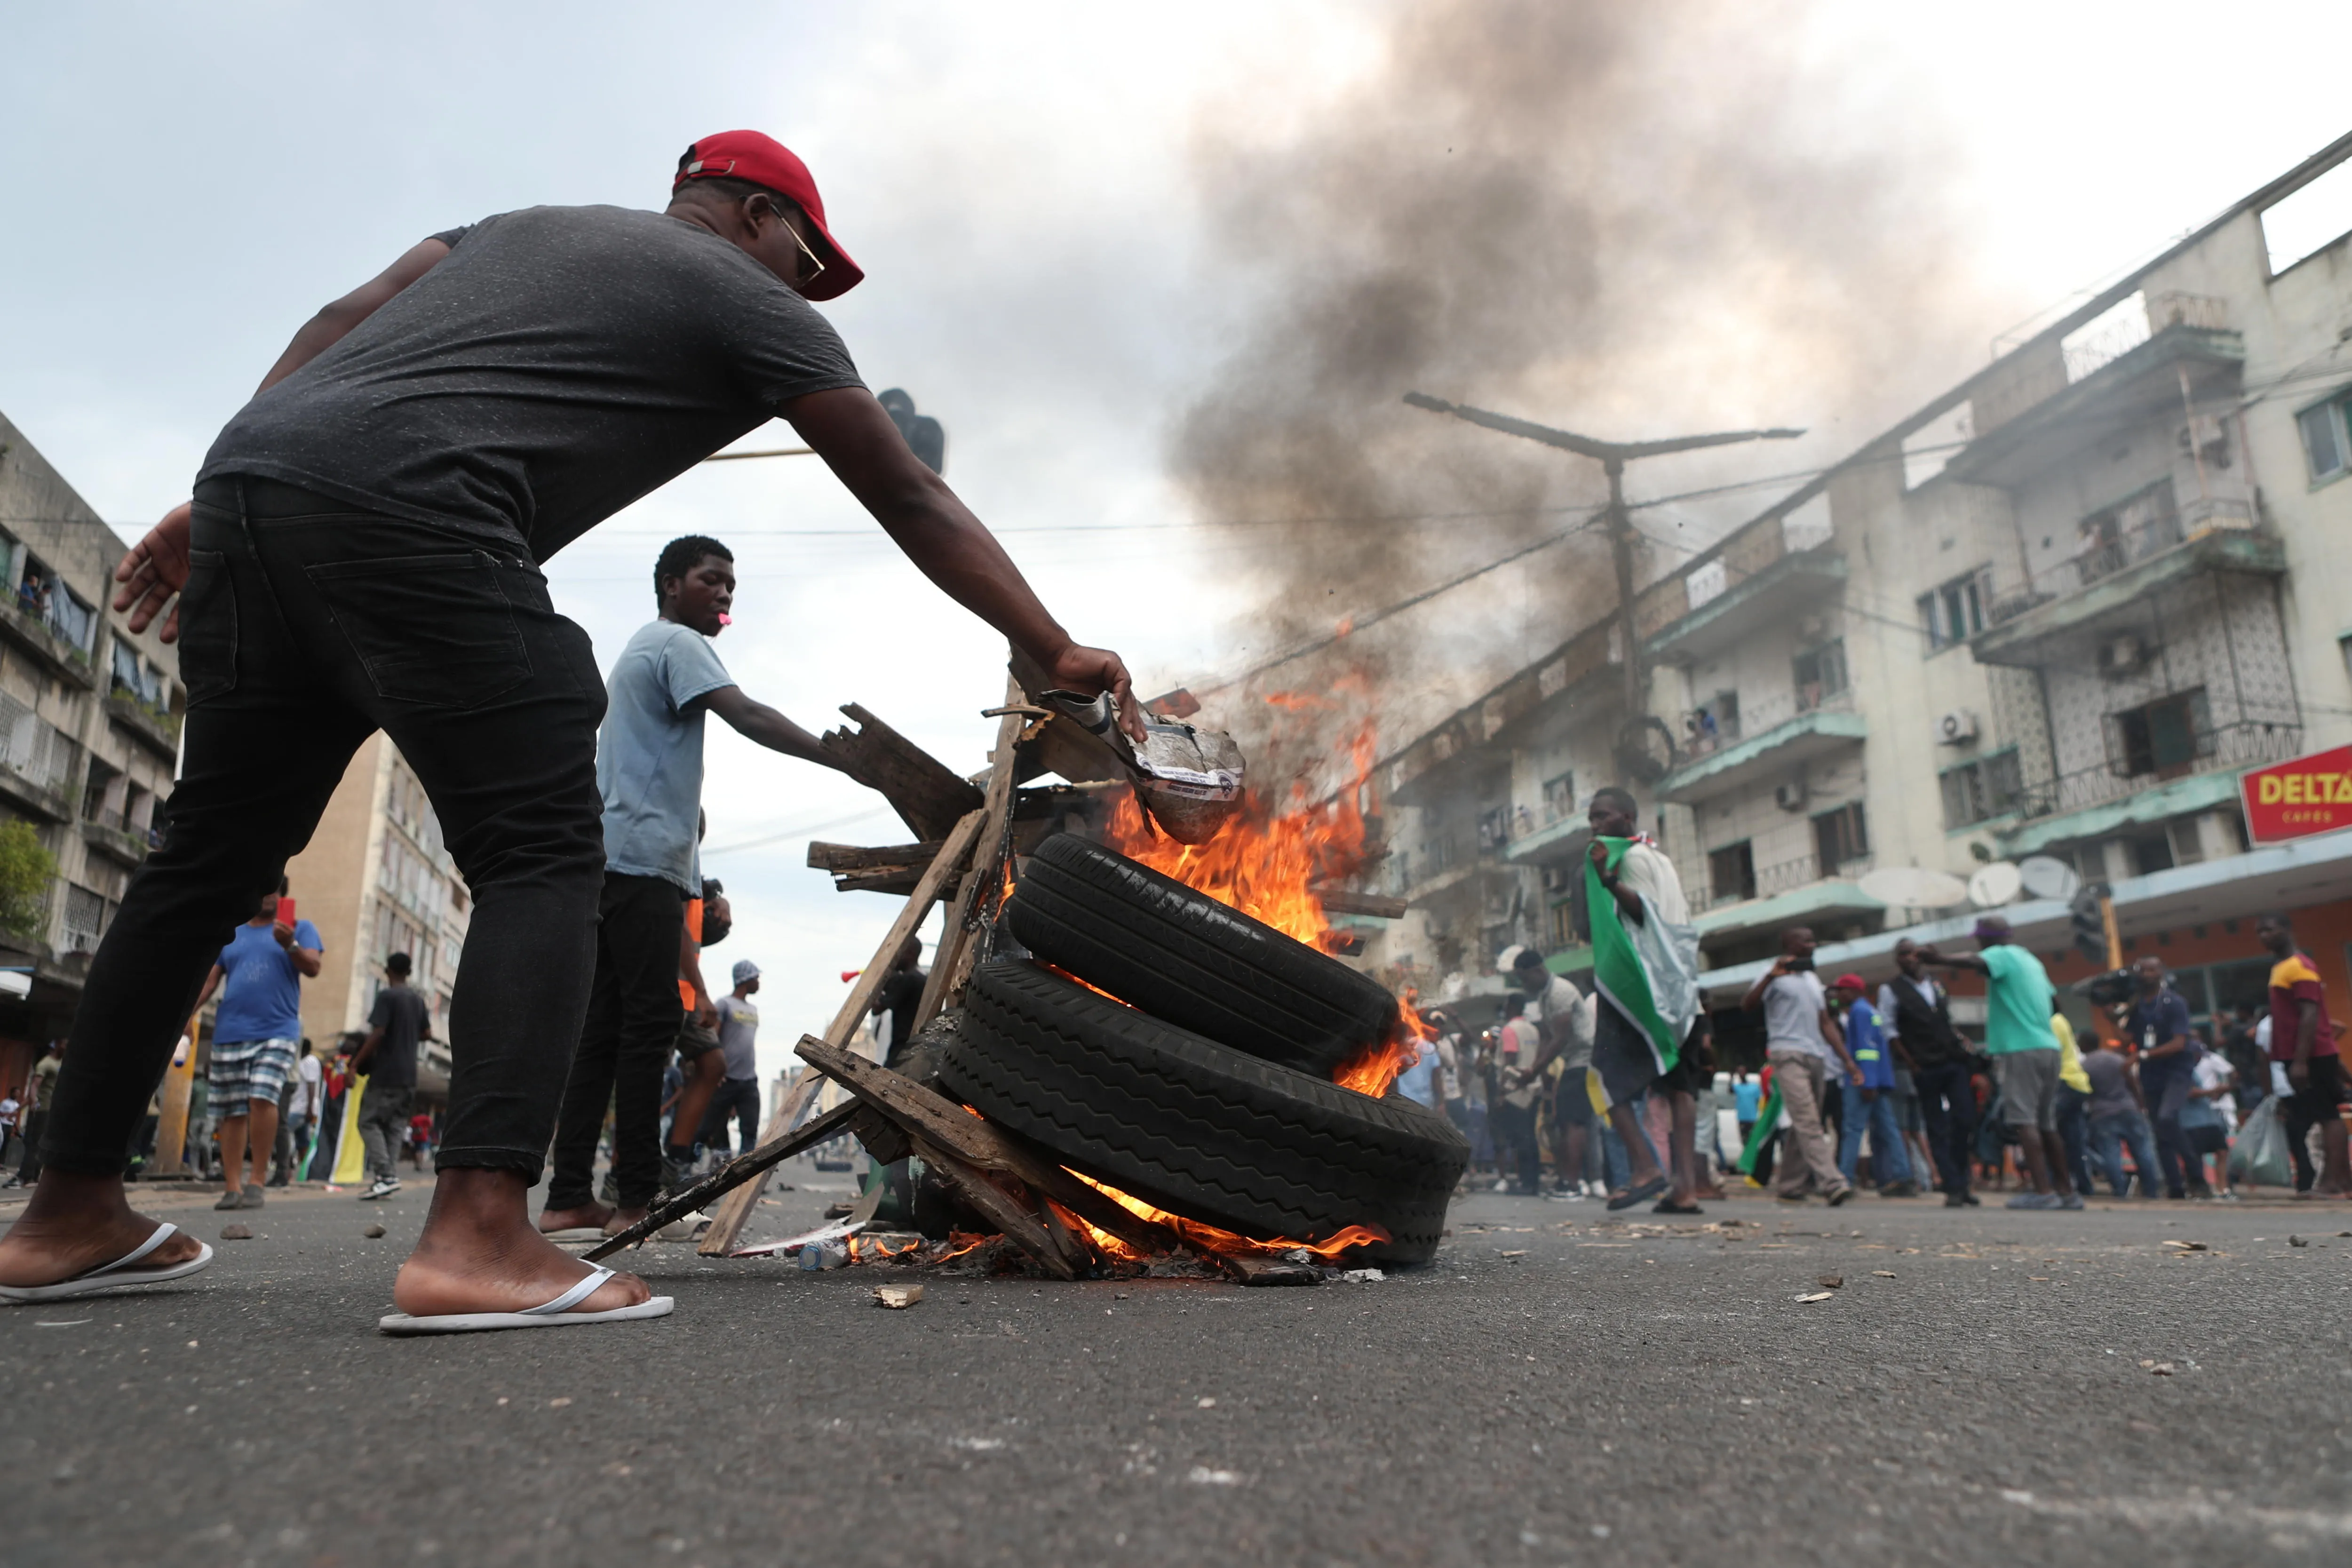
x: 363, y: 551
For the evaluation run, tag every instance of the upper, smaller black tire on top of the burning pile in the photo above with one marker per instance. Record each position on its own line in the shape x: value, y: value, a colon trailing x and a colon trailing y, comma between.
x: 1191, y: 960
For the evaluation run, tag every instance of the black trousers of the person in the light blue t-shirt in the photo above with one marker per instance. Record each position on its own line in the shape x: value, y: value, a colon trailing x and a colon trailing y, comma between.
x: 634, y: 1017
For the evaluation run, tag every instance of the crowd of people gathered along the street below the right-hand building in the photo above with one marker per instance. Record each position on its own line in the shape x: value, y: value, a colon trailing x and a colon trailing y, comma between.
x: 1876, y: 1087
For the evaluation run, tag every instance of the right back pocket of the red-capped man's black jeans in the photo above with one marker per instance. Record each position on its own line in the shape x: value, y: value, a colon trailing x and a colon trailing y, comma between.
x: 429, y: 629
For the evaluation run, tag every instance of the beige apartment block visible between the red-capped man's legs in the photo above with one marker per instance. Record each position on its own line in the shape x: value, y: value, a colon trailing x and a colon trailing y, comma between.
x: 377, y: 880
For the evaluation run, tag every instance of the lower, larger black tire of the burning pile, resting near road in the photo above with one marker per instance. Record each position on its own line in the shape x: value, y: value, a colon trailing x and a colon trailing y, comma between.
x: 1194, y: 1127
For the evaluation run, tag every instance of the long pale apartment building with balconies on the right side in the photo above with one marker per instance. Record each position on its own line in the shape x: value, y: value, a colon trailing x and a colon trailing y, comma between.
x: 2057, y: 612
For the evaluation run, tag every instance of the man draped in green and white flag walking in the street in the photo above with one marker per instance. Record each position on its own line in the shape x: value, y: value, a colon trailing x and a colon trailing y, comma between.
x: 1650, y: 1033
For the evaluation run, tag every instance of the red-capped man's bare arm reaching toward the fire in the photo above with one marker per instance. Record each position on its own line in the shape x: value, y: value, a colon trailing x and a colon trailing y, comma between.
x: 947, y: 542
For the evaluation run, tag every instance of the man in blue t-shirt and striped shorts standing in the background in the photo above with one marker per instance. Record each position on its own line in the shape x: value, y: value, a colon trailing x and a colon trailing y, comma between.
x: 255, y: 1038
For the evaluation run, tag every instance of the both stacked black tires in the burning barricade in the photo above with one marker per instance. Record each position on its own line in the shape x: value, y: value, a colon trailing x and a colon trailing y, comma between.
x: 1203, y: 1080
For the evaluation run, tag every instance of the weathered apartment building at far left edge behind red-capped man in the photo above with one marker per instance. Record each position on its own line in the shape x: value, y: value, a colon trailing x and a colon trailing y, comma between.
x: 91, y: 730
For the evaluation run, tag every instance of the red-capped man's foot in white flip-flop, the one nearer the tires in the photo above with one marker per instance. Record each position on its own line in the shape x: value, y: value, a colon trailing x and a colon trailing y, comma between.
x: 481, y: 1254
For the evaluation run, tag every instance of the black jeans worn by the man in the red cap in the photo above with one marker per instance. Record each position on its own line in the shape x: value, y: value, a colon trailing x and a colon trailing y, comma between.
x: 307, y: 626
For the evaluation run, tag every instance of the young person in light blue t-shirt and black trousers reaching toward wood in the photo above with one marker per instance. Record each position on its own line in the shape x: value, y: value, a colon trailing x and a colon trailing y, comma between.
x: 650, y: 770
